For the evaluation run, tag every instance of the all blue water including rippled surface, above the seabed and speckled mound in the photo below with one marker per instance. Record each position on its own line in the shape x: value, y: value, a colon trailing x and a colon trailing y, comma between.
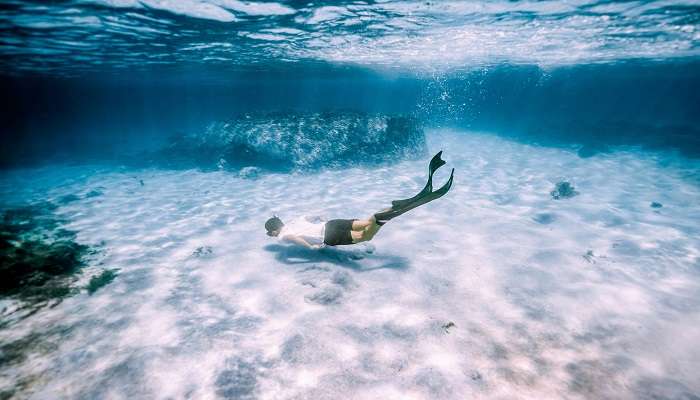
x: 101, y: 79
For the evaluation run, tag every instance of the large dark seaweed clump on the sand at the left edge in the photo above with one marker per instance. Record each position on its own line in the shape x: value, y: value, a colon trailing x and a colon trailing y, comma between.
x: 38, y: 258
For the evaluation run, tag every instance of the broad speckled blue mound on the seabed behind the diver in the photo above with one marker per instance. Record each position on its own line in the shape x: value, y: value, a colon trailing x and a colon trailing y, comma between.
x: 288, y: 141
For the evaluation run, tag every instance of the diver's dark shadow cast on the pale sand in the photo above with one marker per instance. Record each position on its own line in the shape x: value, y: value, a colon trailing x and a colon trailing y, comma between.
x: 357, y: 260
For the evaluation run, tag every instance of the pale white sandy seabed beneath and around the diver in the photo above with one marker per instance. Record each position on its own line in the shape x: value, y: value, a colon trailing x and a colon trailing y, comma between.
x: 494, y: 291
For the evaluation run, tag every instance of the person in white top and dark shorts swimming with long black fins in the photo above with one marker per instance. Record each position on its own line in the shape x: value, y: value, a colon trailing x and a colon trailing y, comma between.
x: 314, y: 233
